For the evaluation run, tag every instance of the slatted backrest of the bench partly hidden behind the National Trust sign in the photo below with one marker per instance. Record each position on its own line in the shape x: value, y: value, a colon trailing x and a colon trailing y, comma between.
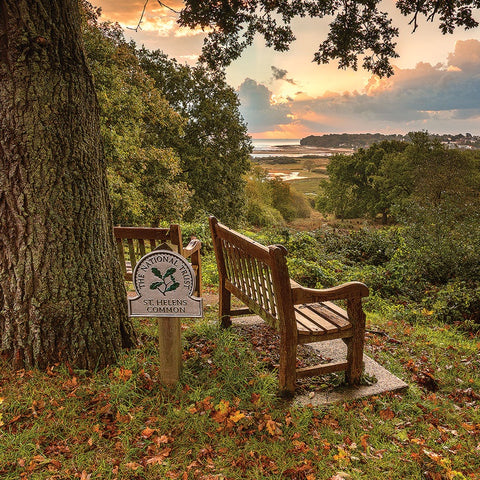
x: 134, y: 242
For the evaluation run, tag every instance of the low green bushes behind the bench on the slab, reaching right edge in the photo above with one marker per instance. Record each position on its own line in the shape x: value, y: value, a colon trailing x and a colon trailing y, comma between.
x: 428, y: 269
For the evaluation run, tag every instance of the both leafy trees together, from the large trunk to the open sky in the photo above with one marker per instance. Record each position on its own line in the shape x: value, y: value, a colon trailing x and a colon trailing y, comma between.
x: 174, y: 140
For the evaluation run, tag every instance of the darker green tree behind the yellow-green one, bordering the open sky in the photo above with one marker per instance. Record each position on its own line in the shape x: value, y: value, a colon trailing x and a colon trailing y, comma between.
x: 215, y: 148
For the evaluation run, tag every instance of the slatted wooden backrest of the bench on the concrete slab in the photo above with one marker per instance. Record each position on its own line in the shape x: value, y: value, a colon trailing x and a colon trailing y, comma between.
x: 256, y: 274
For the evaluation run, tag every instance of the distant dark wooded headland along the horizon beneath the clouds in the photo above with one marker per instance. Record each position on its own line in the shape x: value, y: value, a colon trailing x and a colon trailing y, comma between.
x: 358, y: 140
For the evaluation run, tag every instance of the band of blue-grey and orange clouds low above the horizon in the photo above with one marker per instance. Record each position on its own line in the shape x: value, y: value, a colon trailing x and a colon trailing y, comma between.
x: 443, y: 97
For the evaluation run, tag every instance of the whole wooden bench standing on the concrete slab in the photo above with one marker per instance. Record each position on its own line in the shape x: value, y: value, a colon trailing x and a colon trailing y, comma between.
x: 258, y: 276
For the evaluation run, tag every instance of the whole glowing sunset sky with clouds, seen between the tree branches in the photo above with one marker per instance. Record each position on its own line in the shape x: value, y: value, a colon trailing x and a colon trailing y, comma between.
x: 436, y: 85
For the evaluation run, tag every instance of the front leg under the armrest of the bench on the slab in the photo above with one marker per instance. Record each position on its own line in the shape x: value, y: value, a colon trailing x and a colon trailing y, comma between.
x: 355, y: 344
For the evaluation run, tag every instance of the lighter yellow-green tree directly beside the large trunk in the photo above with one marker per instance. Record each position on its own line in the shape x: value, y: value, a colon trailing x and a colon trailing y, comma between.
x: 138, y: 128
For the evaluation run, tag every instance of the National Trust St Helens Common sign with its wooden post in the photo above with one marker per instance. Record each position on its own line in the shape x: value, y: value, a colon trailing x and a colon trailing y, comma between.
x: 164, y: 282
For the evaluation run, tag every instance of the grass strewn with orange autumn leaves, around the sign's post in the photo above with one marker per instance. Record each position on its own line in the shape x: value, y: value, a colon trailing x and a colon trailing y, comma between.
x: 225, y: 421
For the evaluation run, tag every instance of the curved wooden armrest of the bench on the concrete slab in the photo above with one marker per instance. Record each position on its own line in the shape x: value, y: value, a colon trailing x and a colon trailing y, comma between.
x: 341, y: 292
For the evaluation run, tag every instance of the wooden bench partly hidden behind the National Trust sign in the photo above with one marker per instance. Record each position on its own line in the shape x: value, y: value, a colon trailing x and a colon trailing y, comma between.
x: 134, y: 242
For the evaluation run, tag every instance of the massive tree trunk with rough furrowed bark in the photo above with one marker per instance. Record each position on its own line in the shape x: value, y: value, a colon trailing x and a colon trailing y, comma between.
x: 62, y: 297
